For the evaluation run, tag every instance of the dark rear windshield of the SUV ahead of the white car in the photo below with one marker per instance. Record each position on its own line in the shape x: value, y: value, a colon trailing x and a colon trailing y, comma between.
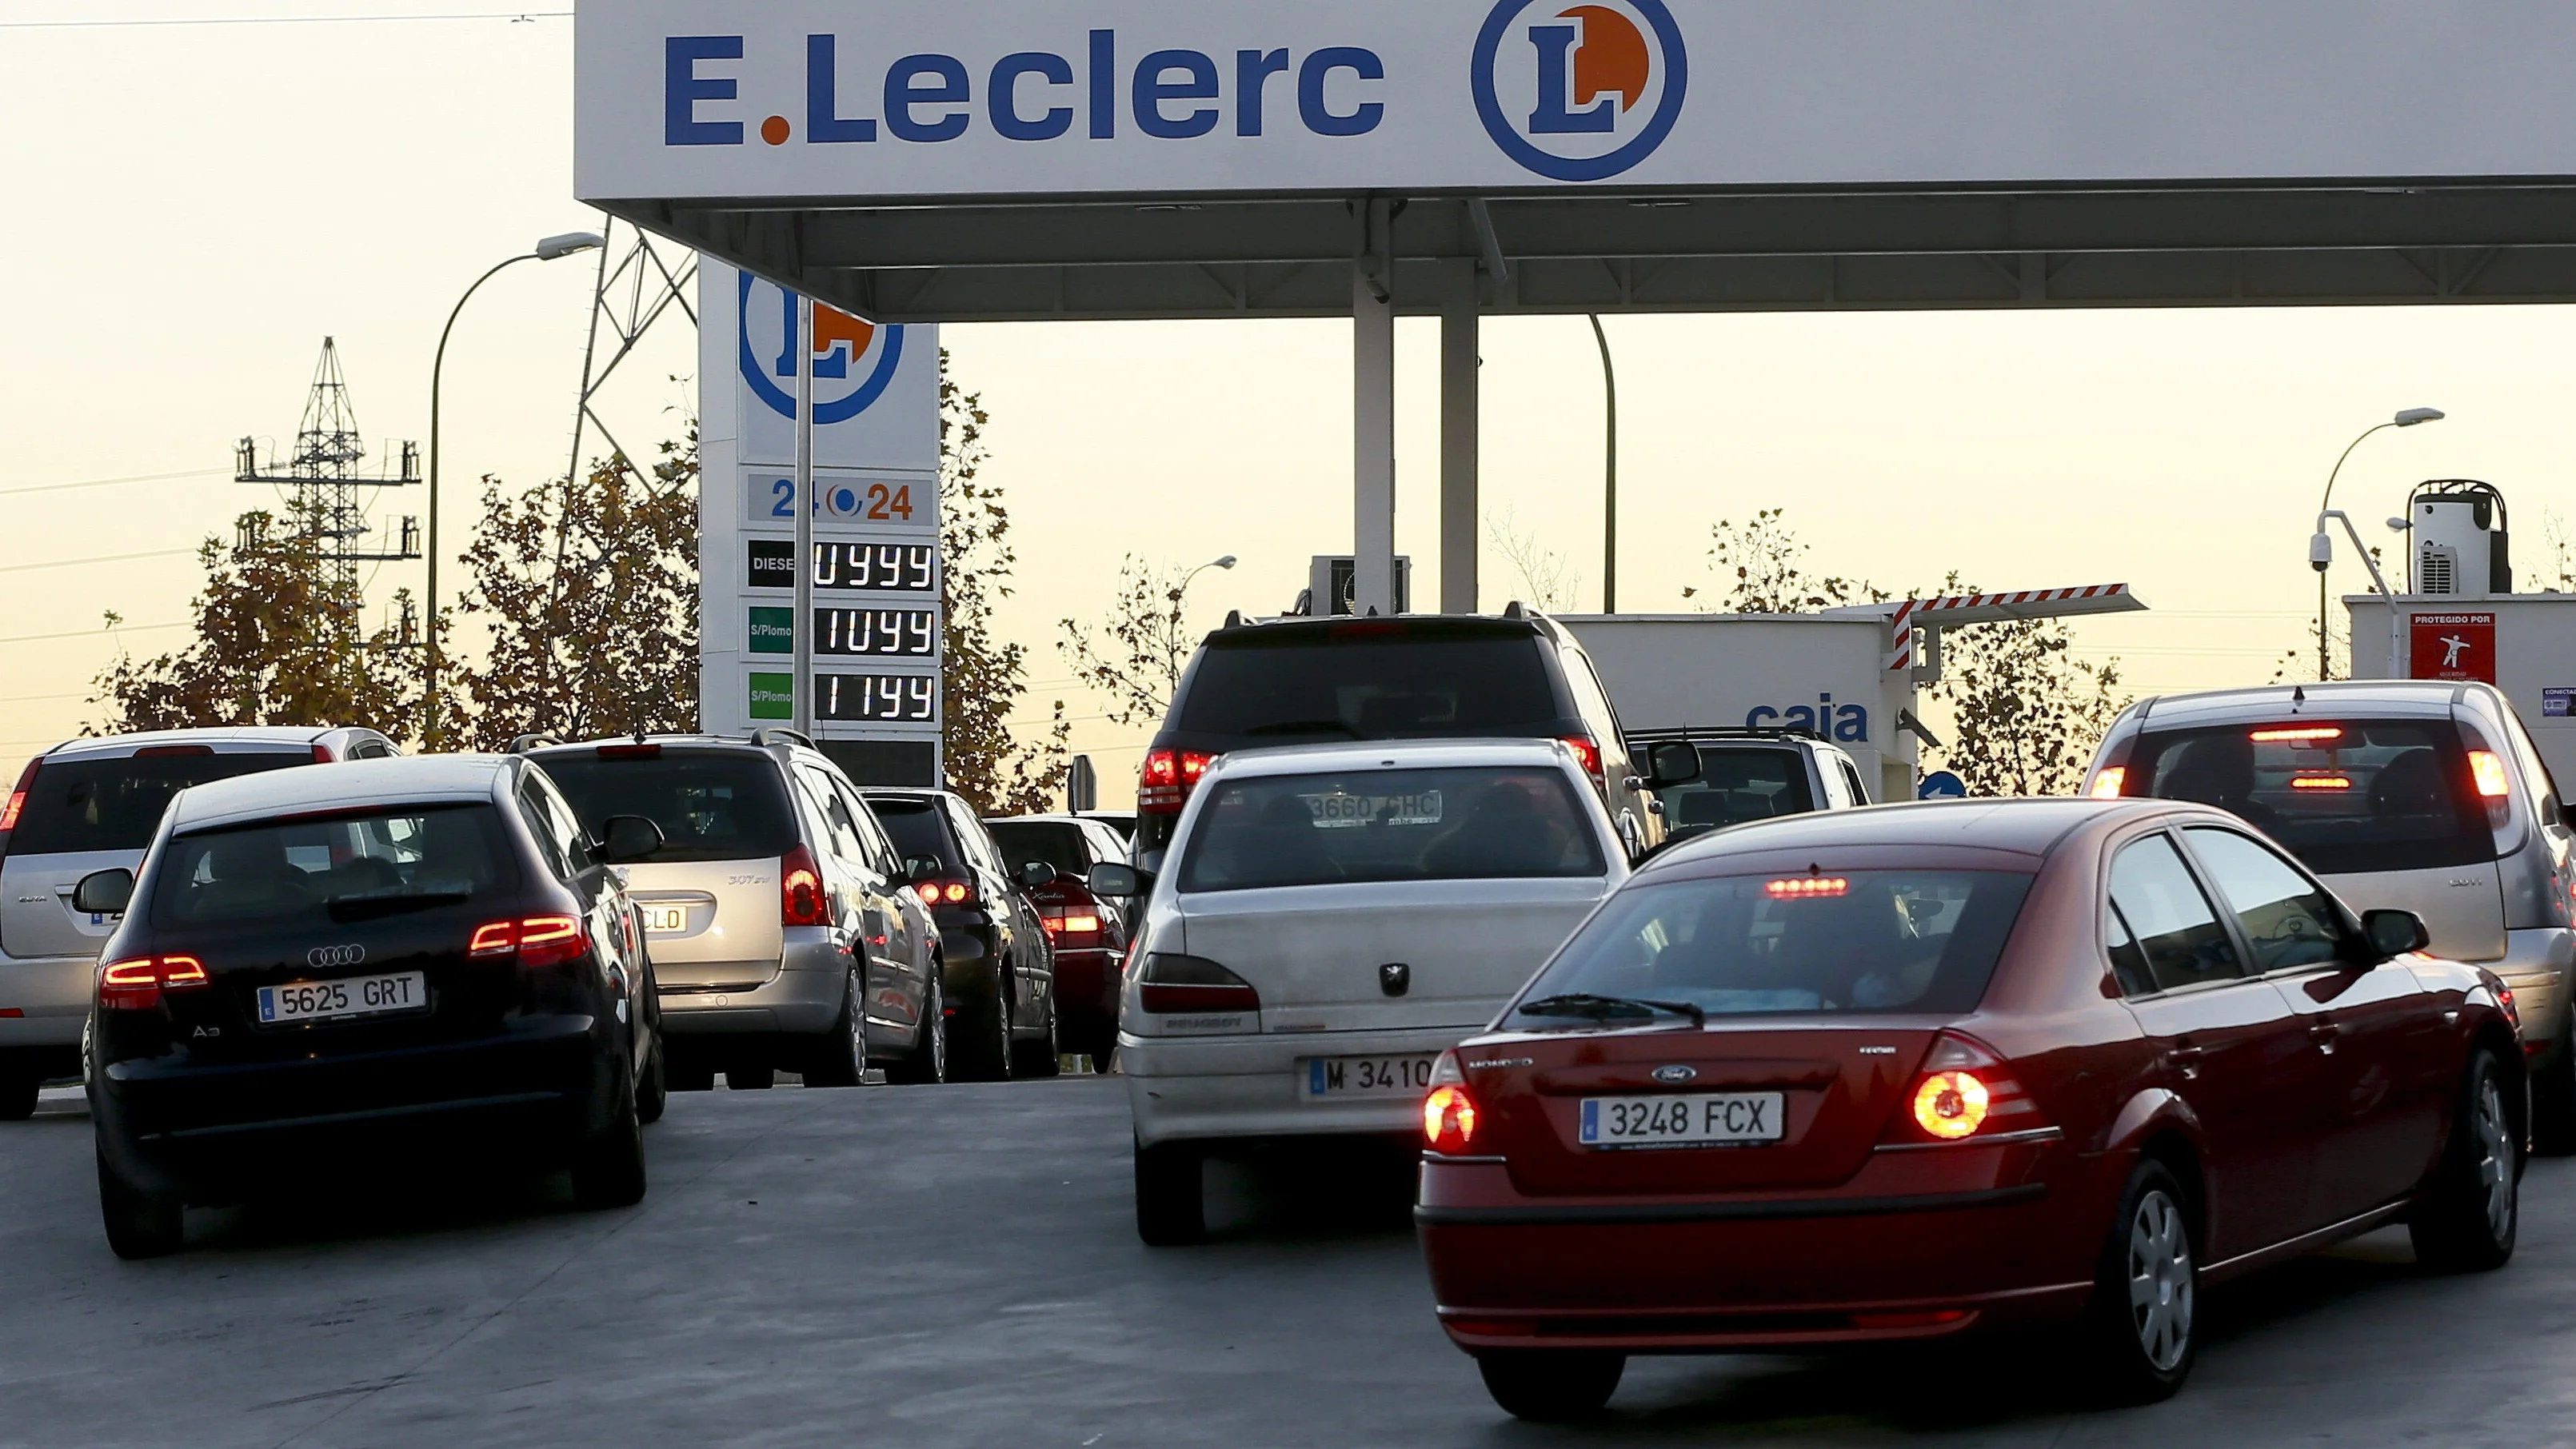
x: 1372, y: 686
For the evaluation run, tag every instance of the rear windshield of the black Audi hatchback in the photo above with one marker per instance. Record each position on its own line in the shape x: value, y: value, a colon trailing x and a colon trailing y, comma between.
x: 349, y: 869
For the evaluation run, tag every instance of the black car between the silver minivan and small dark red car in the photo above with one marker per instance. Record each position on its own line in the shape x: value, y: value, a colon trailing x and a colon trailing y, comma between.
x: 998, y: 969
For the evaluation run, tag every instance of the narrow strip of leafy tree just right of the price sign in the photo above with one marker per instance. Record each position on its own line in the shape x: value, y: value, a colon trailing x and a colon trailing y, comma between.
x: 985, y: 676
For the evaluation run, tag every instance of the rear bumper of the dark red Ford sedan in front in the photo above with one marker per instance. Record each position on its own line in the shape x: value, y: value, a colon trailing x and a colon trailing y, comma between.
x: 1908, y: 1250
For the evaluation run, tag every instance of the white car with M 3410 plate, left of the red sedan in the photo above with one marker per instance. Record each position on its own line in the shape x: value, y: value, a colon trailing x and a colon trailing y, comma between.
x: 1325, y: 925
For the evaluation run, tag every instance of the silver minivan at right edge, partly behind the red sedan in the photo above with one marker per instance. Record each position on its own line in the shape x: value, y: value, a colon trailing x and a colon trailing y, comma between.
x: 2402, y: 794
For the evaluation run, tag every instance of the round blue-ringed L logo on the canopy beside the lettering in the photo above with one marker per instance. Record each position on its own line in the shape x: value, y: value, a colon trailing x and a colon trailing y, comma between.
x: 1580, y: 91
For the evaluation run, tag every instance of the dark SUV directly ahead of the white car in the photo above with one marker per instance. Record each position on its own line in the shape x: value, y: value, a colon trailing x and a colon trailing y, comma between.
x: 1318, y: 681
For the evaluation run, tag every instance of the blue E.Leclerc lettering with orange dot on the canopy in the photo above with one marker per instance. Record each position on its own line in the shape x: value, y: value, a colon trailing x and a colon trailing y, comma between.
x: 1029, y: 97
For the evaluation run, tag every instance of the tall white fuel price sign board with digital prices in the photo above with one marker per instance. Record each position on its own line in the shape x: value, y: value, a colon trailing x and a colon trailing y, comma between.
x: 877, y: 519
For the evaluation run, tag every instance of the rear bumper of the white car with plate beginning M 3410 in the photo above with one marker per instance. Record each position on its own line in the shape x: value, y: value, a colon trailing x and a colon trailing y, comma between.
x: 1251, y: 1087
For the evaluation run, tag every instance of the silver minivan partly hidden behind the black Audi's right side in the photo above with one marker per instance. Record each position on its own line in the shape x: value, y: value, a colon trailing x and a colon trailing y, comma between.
x: 782, y: 920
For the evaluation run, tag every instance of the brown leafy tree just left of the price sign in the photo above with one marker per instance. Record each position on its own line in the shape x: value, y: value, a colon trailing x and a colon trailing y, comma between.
x: 591, y: 598
